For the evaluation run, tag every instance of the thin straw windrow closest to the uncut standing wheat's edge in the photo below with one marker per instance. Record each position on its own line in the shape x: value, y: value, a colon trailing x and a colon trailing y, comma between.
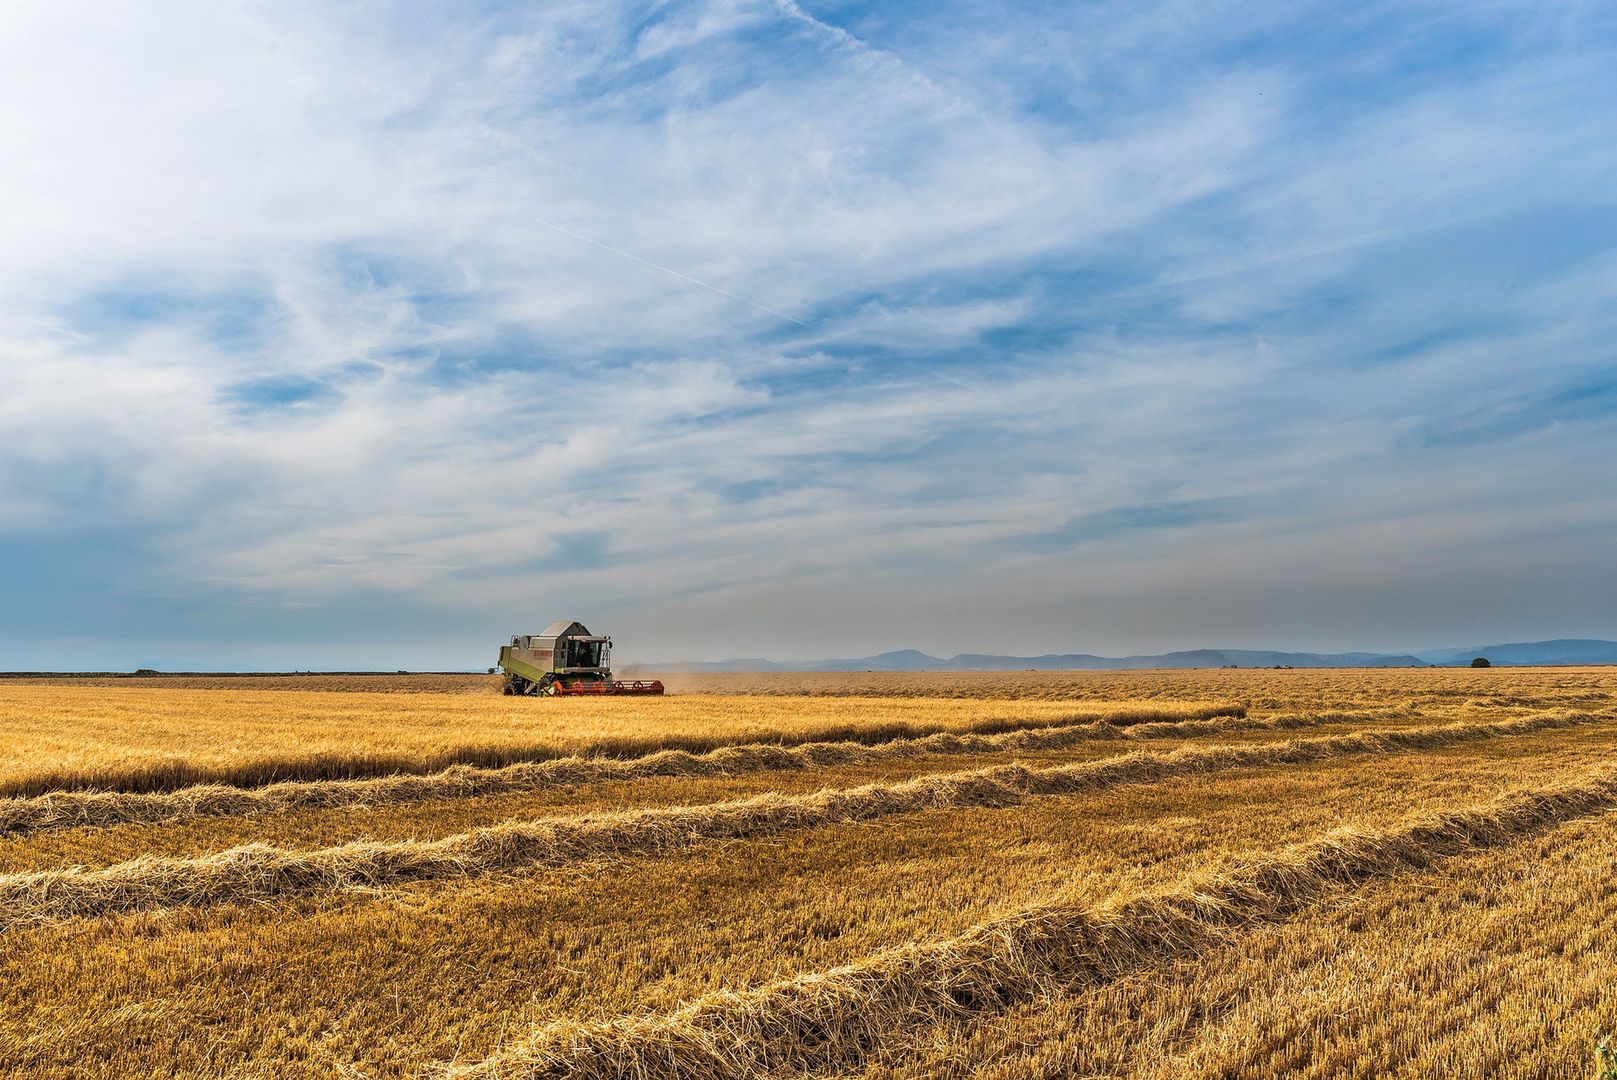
x: 70, y: 809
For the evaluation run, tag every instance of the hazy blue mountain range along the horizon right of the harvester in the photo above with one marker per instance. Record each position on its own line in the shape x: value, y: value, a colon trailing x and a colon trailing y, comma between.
x: 1558, y: 652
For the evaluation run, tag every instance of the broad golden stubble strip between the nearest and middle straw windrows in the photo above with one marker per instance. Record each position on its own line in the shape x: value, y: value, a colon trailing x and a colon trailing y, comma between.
x: 478, y: 960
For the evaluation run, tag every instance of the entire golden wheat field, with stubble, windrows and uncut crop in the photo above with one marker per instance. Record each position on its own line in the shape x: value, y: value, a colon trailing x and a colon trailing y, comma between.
x: 1013, y: 875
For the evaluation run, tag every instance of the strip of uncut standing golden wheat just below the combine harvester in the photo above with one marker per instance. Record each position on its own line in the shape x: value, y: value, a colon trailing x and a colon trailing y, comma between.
x: 345, y: 745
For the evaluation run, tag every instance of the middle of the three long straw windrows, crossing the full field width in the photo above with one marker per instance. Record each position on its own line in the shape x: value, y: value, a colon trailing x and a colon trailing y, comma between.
x: 256, y: 872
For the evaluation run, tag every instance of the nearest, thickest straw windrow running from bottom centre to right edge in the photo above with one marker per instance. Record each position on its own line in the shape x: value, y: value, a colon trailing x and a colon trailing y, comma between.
x: 835, y: 1019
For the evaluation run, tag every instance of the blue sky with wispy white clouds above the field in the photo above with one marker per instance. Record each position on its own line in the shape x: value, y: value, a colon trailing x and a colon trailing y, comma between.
x: 368, y: 335
